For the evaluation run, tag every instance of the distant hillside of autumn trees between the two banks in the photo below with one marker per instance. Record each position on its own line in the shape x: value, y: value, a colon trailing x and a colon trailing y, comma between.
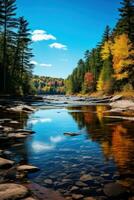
x: 48, y: 85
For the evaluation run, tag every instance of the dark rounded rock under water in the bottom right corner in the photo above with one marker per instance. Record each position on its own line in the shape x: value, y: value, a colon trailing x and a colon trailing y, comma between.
x: 114, y: 190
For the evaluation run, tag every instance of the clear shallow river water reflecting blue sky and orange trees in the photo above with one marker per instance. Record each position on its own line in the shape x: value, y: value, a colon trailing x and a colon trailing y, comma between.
x: 104, y: 149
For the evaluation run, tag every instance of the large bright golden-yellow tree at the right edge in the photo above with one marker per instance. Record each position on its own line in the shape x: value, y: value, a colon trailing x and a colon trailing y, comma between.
x: 122, y: 56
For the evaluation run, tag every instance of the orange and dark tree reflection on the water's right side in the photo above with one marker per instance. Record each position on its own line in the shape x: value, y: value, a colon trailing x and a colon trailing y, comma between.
x: 115, y: 139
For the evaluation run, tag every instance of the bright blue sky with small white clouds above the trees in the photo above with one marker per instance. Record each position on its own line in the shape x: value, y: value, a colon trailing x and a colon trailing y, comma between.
x: 62, y: 30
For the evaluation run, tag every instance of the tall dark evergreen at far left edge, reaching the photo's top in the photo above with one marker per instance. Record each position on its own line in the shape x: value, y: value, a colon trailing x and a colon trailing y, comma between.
x: 8, y: 25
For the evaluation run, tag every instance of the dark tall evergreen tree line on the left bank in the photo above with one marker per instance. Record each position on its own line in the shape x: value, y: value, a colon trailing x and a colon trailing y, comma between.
x: 15, y: 51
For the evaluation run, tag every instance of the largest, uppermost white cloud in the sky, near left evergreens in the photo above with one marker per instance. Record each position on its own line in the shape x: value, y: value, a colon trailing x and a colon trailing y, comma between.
x: 39, y: 35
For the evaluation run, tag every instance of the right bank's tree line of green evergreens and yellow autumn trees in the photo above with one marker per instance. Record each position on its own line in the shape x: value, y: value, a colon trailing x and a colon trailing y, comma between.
x: 109, y: 67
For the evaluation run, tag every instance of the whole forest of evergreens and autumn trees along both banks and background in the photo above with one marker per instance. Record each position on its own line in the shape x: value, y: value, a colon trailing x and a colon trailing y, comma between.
x: 107, y: 68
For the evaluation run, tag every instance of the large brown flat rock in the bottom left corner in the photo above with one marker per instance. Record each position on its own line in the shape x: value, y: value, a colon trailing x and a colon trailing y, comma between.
x: 11, y: 191
